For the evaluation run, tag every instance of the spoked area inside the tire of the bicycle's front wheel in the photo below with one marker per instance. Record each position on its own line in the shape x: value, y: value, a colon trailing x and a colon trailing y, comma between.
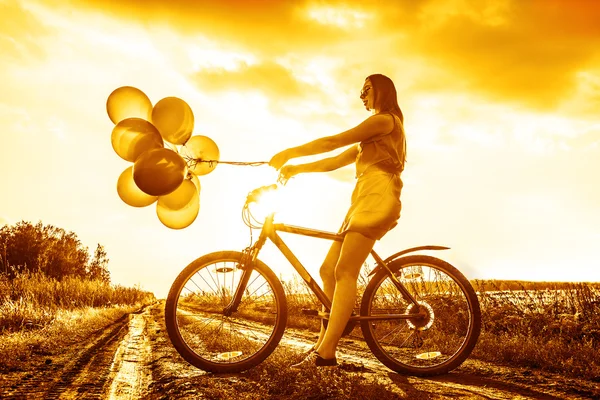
x: 215, y: 330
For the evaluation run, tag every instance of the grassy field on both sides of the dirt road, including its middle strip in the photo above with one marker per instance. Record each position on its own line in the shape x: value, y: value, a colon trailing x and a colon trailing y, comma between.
x: 549, y: 327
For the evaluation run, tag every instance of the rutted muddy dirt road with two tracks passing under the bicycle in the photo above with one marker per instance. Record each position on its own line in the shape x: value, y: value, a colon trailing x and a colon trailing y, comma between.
x: 133, y: 358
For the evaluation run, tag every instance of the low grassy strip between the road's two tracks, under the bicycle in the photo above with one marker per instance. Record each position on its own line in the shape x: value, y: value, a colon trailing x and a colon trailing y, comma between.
x: 273, y: 379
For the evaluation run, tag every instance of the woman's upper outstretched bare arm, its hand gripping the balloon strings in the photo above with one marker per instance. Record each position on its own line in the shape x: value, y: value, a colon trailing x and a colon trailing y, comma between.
x: 374, y: 125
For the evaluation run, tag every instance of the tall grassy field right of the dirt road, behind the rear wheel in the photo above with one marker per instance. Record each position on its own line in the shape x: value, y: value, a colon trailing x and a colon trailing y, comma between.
x: 549, y: 326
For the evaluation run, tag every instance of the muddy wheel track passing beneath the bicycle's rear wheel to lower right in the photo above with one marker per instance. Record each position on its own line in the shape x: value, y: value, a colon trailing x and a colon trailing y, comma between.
x: 474, y: 379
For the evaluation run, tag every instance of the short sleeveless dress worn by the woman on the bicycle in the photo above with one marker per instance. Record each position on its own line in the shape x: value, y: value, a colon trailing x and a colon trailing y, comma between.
x: 375, y: 202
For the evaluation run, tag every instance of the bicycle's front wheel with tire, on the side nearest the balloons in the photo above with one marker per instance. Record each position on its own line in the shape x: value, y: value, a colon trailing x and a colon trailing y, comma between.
x: 205, y: 334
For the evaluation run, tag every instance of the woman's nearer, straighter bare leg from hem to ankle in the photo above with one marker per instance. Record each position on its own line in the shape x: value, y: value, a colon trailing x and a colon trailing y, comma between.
x: 354, y: 252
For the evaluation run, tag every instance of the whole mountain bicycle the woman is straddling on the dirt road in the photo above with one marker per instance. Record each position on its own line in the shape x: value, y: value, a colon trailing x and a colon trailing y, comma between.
x: 227, y: 311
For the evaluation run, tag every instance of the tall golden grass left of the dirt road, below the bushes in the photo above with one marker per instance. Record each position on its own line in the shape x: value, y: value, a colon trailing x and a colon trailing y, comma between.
x: 39, y: 315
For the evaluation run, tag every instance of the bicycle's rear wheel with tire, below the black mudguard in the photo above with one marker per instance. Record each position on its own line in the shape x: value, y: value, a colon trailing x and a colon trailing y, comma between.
x: 436, y: 341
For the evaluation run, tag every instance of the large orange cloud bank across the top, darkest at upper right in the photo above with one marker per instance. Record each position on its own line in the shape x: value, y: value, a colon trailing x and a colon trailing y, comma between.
x: 522, y: 52
